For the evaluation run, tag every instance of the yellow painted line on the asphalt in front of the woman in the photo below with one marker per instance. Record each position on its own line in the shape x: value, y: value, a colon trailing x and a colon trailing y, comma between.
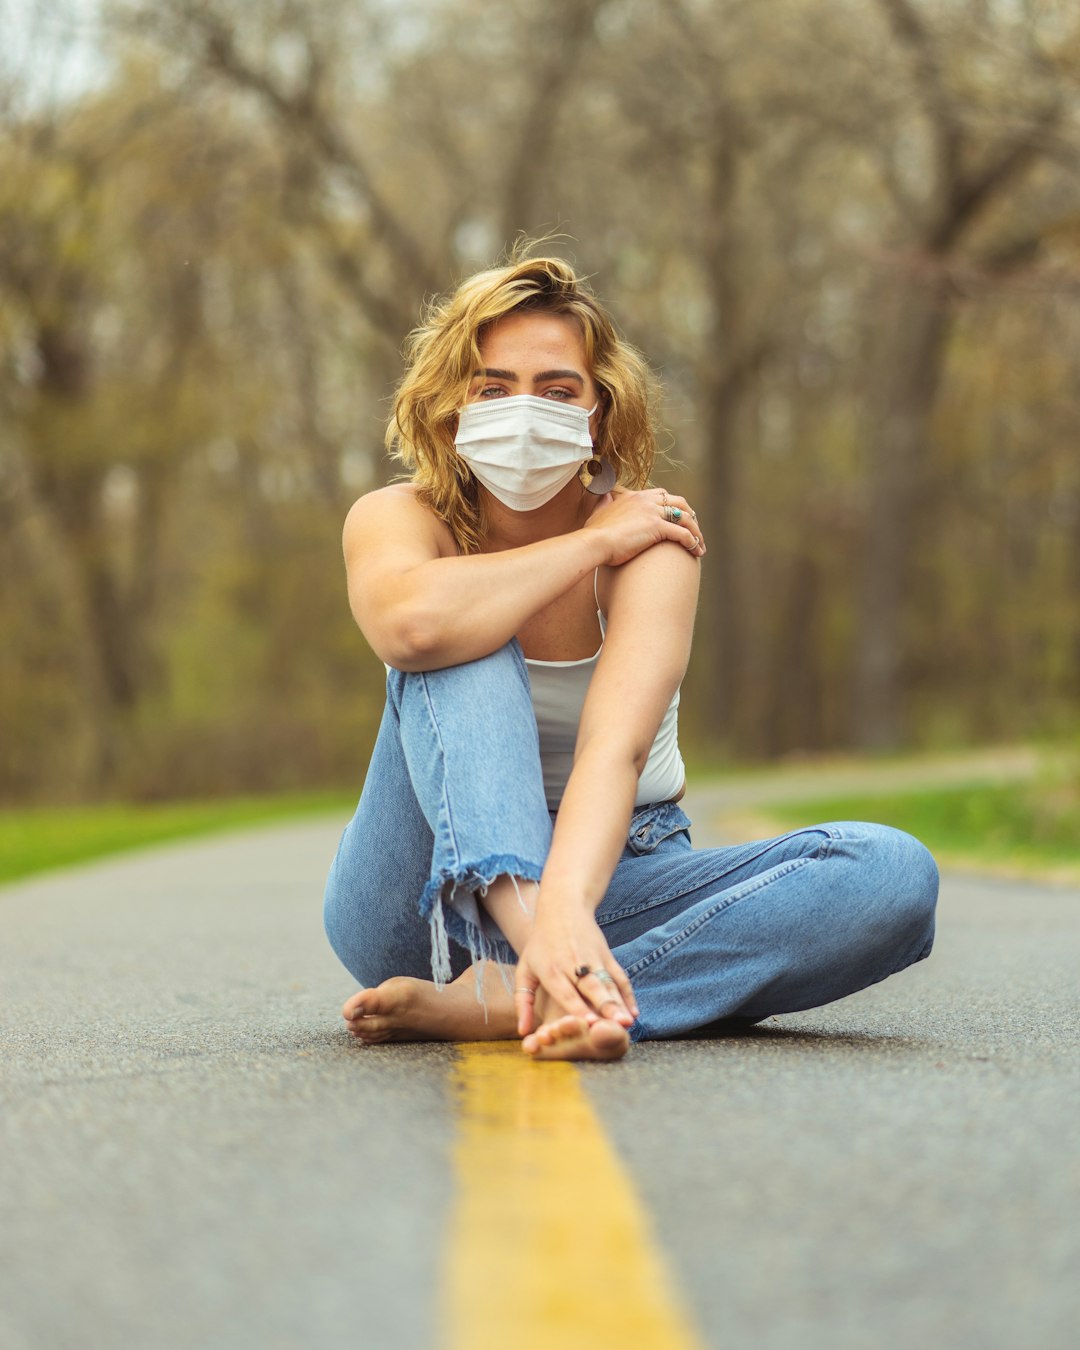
x: 549, y: 1244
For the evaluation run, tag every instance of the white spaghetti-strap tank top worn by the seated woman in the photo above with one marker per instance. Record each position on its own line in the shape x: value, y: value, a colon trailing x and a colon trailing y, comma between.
x: 558, y: 699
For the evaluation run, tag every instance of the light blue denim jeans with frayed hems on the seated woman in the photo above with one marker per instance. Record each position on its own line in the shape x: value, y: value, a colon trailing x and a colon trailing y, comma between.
x: 454, y: 799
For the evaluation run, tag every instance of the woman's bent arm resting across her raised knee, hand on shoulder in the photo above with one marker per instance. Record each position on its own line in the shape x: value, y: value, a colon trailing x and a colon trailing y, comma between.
x: 423, y: 608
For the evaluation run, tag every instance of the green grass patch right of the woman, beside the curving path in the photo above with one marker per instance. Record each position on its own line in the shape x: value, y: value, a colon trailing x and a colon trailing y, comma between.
x: 1029, y: 828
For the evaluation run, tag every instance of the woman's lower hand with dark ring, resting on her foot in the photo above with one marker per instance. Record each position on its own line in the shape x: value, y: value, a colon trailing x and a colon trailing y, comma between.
x: 561, y: 946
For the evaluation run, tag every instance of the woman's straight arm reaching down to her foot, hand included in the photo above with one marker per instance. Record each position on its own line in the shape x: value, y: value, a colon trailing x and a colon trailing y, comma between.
x: 651, y: 608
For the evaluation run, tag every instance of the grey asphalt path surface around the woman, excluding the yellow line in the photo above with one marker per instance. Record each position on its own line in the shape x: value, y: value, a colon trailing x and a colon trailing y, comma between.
x: 194, y: 1155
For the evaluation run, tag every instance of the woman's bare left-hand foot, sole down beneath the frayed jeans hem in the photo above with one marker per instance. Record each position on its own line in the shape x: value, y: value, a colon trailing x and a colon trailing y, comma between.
x: 404, y: 1009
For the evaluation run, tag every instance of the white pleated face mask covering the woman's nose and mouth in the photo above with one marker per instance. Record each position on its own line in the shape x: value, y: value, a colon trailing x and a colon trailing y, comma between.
x: 524, y: 450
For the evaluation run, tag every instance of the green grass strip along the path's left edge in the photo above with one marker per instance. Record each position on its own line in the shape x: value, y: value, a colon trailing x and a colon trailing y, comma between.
x: 38, y: 839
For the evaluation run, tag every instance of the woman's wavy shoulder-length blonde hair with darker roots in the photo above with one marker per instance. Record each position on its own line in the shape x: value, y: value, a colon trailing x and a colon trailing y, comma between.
x: 443, y: 353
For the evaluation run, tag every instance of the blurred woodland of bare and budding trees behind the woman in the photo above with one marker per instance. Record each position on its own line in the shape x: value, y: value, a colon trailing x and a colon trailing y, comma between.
x: 847, y: 234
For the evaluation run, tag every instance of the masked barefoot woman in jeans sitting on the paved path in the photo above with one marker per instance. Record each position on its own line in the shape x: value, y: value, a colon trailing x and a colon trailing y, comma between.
x: 534, y: 600
